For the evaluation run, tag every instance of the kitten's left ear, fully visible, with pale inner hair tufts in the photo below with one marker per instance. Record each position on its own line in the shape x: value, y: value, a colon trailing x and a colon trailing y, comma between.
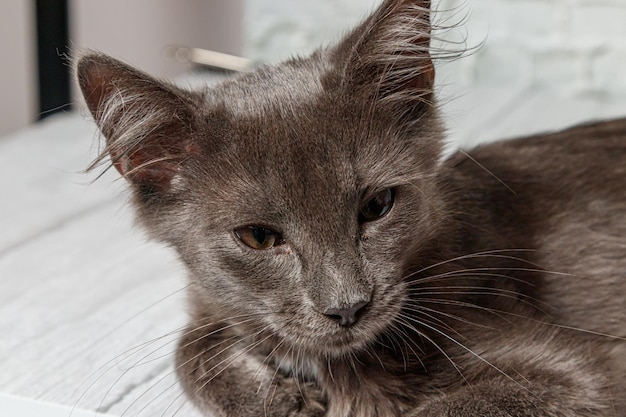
x: 146, y: 122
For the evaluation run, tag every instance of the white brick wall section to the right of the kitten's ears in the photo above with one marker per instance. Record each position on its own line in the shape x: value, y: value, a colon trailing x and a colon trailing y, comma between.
x: 577, y: 46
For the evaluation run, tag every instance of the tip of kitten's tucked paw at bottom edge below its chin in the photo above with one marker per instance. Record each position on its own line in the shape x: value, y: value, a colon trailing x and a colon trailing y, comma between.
x: 296, y: 399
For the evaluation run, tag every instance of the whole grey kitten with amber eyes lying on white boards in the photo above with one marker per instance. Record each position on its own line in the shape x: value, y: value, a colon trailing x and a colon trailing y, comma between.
x: 337, y: 267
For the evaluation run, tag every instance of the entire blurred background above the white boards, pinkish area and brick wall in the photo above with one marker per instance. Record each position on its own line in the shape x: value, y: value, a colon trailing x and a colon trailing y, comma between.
x: 573, y: 47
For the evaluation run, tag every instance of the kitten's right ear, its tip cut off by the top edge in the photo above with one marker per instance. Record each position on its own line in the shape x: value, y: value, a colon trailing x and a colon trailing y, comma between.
x: 388, y: 56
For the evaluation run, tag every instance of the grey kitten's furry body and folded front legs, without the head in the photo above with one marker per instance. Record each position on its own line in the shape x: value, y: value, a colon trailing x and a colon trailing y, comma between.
x: 526, y: 313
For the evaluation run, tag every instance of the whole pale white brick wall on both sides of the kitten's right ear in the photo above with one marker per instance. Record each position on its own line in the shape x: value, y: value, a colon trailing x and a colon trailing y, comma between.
x: 570, y: 46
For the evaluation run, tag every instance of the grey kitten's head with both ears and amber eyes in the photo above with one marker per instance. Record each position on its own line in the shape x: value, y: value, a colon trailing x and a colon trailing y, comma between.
x: 295, y: 194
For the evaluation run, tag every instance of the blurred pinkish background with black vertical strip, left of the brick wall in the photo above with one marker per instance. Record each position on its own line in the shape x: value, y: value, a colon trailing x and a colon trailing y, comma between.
x: 137, y: 31
